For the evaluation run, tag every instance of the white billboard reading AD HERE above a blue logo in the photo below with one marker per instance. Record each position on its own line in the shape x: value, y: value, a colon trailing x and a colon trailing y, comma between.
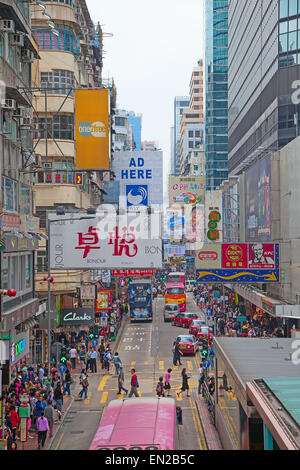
x: 140, y: 175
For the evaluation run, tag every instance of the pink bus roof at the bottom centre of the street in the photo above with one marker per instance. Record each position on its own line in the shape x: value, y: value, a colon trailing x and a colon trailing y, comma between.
x: 137, y: 422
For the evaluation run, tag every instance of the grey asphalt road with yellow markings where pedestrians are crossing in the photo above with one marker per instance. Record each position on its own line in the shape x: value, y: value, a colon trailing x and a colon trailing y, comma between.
x: 148, y: 348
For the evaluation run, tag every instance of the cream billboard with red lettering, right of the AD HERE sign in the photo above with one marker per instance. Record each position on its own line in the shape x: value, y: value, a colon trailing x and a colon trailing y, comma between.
x: 186, y: 190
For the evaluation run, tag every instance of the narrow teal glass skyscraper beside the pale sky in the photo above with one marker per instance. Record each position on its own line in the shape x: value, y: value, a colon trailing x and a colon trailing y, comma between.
x: 216, y: 107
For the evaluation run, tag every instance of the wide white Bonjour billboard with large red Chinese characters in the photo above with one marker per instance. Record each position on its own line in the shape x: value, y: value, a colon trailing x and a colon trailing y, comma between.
x: 102, y: 242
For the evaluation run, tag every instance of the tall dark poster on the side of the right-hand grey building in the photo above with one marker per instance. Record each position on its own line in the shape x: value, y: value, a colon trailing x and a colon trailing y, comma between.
x: 258, y: 201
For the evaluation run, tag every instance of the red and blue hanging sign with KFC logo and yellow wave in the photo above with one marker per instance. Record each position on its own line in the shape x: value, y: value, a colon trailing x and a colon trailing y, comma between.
x: 238, y: 262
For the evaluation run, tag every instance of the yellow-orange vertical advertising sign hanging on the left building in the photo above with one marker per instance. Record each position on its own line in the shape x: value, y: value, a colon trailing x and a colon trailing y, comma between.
x: 92, y: 129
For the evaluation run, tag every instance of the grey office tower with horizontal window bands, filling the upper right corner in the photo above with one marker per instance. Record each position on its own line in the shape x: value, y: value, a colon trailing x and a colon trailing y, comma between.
x: 263, y: 61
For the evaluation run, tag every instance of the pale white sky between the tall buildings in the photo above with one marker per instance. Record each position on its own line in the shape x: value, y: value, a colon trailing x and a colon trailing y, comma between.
x: 151, y: 55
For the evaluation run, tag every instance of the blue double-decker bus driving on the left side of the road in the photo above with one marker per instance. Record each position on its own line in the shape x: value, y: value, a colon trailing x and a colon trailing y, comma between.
x: 140, y: 300
